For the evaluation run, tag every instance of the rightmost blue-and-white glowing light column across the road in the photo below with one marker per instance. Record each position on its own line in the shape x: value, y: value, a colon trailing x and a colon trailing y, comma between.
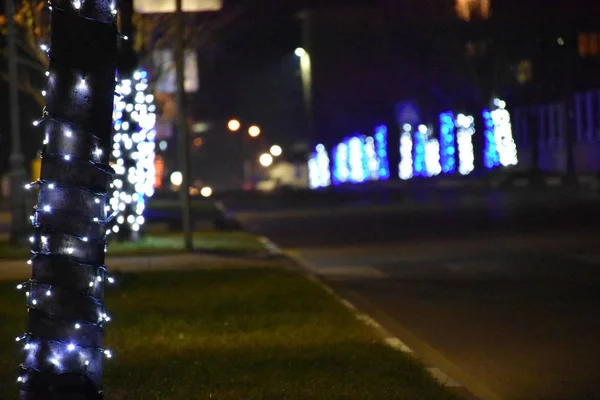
x: 500, y: 148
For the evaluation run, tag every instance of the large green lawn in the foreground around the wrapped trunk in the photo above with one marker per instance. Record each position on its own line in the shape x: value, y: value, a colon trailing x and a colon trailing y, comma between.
x: 234, y: 334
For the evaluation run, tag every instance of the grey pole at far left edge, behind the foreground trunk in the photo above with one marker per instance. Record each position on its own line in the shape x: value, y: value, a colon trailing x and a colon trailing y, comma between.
x: 18, y: 175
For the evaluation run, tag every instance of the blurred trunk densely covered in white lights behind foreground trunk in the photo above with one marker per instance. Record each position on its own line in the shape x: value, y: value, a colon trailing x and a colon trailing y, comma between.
x: 133, y: 153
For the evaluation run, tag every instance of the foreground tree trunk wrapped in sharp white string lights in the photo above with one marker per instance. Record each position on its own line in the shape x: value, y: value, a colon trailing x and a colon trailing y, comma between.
x: 63, y: 350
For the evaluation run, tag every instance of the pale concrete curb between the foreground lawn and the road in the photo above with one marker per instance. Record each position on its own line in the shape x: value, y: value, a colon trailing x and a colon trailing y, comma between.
x: 389, y: 339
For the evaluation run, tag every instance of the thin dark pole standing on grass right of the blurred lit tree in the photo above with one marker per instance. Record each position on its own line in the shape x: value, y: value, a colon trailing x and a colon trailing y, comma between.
x: 182, y: 131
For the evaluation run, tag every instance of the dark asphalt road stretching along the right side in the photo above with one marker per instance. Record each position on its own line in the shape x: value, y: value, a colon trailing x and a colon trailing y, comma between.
x: 501, y: 292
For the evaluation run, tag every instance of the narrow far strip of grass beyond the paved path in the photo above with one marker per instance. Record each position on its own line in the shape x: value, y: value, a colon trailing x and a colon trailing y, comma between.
x: 237, y: 241
